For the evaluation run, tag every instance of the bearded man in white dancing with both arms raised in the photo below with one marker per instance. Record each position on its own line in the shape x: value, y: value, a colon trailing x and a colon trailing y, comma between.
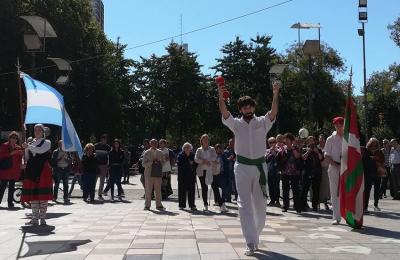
x: 250, y: 168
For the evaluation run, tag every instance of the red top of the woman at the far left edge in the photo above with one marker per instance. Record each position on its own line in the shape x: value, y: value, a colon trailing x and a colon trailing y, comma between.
x: 13, y: 173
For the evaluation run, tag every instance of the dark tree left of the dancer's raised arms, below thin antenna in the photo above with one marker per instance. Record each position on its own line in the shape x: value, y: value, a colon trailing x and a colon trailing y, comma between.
x: 174, y: 94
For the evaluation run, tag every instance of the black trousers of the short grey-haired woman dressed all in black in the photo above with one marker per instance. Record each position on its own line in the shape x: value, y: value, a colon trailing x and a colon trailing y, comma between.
x: 186, y: 186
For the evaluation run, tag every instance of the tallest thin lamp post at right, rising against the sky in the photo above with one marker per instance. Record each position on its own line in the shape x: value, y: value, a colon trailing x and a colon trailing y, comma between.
x: 363, y: 18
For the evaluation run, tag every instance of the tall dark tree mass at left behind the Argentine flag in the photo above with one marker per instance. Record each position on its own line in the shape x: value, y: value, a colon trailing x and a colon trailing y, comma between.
x: 99, y: 97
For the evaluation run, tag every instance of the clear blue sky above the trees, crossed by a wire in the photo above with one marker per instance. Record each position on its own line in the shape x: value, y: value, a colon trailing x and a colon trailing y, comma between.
x: 139, y: 22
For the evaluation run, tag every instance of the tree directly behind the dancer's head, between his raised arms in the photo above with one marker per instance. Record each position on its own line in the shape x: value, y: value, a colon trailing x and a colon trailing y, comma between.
x: 245, y: 67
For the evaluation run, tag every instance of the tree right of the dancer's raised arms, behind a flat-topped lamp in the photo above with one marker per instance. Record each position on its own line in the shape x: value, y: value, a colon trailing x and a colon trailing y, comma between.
x: 318, y: 74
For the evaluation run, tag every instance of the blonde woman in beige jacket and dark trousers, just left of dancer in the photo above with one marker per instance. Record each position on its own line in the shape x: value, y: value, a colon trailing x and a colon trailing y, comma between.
x: 205, y: 157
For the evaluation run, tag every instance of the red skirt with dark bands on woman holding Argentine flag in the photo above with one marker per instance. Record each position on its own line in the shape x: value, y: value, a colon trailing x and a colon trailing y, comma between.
x: 38, y: 191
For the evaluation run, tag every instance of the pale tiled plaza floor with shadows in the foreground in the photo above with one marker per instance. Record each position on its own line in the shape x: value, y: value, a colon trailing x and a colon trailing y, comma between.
x: 124, y: 230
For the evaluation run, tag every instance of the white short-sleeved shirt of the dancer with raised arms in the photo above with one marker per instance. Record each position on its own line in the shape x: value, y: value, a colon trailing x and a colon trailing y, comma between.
x: 250, y: 138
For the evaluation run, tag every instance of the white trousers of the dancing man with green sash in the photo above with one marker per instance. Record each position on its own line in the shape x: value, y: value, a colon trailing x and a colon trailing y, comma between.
x: 251, y: 202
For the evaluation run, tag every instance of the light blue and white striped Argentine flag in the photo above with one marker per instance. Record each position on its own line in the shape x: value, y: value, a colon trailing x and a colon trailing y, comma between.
x: 45, y: 105
